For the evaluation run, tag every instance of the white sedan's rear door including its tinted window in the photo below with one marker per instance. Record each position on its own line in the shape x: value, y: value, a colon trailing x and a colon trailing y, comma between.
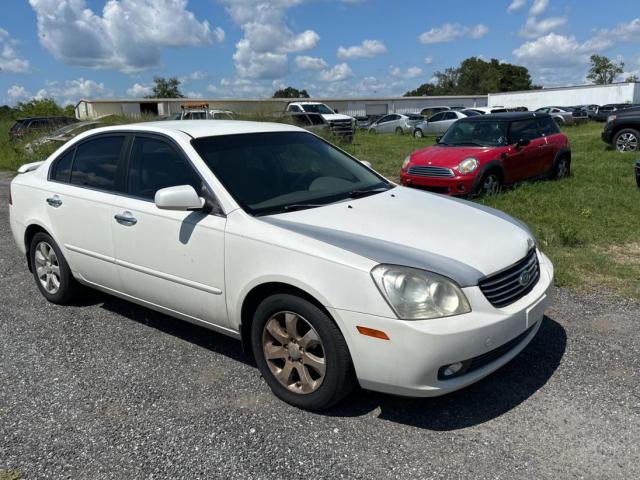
x: 80, y: 196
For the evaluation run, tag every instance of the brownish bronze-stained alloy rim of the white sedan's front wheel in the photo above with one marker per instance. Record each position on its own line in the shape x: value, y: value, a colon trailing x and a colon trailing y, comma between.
x: 294, y: 352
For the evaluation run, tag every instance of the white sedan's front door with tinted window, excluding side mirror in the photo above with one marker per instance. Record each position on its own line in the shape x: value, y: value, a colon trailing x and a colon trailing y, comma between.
x: 173, y: 259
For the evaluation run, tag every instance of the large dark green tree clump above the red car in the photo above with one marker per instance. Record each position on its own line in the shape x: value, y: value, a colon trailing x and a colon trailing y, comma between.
x: 476, y: 76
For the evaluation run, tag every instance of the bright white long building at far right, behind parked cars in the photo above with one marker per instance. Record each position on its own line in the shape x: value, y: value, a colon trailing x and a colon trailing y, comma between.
x: 568, y: 96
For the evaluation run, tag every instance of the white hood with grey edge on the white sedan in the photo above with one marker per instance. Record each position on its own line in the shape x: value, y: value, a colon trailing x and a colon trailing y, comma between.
x: 459, y: 239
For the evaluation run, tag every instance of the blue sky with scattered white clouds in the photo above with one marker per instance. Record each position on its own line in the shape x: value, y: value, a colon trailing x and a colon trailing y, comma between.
x: 70, y: 49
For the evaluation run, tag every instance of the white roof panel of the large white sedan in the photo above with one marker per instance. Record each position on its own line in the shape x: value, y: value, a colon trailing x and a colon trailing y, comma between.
x: 203, y: 128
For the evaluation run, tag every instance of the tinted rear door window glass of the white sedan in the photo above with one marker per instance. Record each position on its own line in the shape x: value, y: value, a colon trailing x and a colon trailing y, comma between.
x: 96, y: 162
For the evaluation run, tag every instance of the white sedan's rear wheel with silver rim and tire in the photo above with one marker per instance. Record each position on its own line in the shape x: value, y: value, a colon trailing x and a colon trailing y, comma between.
x: 50, y: 270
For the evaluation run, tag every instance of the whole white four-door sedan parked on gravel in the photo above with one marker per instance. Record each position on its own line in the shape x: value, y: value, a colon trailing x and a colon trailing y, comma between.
x: 328, y: 272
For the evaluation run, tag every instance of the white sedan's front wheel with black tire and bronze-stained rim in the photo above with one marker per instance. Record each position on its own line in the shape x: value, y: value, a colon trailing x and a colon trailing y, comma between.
x: 315, y: 373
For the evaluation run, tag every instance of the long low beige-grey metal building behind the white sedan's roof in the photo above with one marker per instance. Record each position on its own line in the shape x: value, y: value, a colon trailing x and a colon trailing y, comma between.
x: 94, y: 108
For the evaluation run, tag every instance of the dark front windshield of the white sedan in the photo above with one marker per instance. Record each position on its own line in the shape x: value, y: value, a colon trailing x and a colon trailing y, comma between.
x: 283, y: 171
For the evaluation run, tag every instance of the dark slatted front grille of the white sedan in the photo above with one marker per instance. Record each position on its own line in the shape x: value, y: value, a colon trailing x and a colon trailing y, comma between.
x: 509, y: 285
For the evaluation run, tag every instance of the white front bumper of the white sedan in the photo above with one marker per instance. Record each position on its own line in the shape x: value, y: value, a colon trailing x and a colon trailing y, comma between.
x: 408, y: 363
